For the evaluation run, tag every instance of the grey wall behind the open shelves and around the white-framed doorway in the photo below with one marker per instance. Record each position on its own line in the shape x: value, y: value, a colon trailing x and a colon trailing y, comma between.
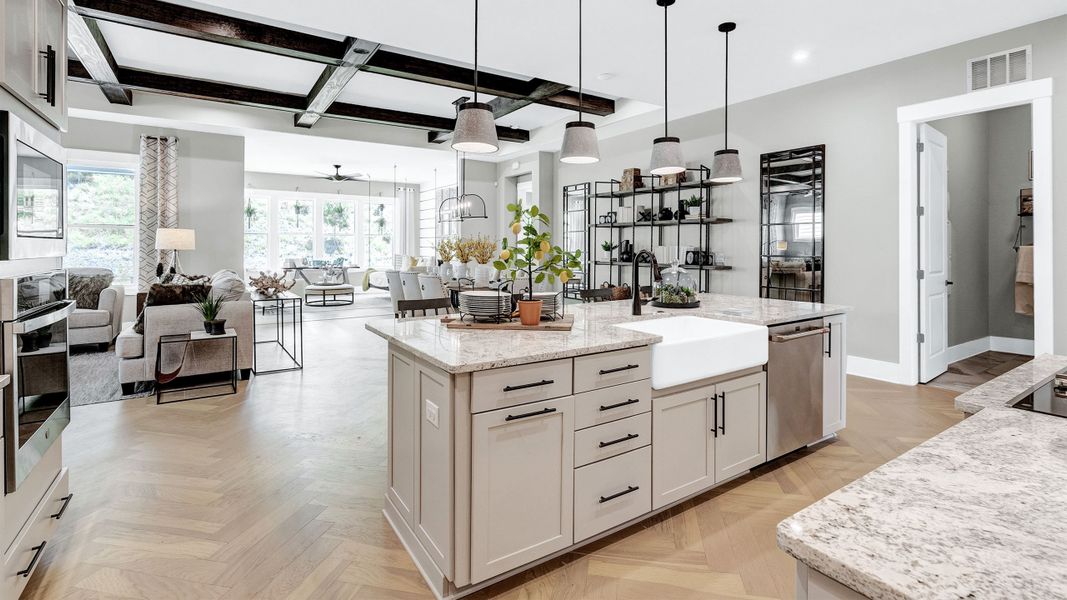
x: 855, y: 116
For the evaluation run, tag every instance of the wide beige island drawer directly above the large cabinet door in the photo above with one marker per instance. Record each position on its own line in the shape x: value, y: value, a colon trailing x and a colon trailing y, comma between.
x: 512, y: 386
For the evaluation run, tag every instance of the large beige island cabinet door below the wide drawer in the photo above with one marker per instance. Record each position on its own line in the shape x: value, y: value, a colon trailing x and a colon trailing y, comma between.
x: 522, y: 484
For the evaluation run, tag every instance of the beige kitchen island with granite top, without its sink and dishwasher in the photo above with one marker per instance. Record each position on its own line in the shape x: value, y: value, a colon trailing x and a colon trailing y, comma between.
x: 509, y: 448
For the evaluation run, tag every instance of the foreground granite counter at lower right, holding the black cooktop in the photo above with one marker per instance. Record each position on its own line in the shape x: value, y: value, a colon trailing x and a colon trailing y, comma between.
x: 978, y: 512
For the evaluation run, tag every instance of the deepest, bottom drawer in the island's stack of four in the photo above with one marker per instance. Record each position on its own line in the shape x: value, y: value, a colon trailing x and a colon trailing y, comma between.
x: 613, y: 492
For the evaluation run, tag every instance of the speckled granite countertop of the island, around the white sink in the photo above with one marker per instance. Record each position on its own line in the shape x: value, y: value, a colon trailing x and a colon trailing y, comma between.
x: 464, y: 352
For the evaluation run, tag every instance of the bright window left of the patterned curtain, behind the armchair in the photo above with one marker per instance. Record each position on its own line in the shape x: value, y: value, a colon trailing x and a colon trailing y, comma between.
x: 103, y: 220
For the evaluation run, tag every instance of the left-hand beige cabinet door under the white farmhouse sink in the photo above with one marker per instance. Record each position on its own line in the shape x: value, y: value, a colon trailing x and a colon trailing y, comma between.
x: 683, y: 457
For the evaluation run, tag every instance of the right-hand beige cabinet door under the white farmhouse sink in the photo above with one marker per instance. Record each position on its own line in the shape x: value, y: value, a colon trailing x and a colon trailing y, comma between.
x: 742, y: 440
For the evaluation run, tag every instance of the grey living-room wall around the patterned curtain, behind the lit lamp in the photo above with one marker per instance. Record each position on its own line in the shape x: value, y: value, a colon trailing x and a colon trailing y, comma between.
x: 211, y: 186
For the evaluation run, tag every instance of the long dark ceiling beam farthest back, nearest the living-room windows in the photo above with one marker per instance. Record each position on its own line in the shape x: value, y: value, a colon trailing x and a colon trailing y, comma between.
x: 214, y: 91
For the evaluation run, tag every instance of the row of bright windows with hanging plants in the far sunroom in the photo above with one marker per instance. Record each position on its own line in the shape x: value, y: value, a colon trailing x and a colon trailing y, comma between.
x: 357, y: 230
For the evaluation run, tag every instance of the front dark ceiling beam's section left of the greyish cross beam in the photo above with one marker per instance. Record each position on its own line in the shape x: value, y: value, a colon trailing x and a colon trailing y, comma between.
x: 212, y: 27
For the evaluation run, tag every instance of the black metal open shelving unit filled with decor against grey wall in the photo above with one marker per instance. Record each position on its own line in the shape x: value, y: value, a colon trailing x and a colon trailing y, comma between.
x: 650, y: 233
